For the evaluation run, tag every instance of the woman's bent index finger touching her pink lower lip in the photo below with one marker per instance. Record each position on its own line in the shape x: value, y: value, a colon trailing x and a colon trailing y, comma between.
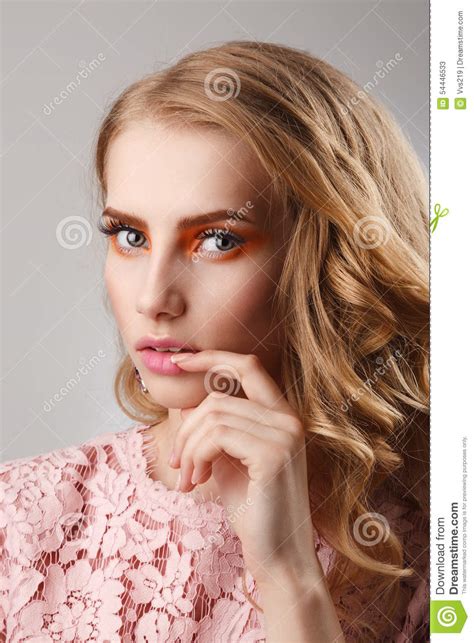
x: 257, y: 383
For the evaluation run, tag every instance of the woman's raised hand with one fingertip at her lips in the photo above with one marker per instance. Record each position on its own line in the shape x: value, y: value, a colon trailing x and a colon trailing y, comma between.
x: 255, y: 448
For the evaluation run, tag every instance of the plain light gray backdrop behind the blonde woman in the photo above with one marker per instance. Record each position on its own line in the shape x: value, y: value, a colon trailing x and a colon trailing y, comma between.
x: 54, y: 319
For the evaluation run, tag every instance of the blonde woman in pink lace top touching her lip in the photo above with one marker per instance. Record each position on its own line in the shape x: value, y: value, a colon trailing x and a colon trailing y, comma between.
x: 267, y: 218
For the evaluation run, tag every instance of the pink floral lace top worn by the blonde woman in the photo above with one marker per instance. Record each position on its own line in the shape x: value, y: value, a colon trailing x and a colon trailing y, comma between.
x: 92, y: 548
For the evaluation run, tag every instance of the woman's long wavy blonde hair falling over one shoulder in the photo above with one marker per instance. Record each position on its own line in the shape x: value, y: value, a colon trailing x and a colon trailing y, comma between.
x: 353, y: 293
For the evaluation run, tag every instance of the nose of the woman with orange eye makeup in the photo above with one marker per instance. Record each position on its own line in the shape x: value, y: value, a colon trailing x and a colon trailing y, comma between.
x: 161, y: 289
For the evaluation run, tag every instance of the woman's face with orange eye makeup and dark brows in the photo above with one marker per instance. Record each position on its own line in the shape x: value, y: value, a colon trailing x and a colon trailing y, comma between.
x: 207, y: 283
